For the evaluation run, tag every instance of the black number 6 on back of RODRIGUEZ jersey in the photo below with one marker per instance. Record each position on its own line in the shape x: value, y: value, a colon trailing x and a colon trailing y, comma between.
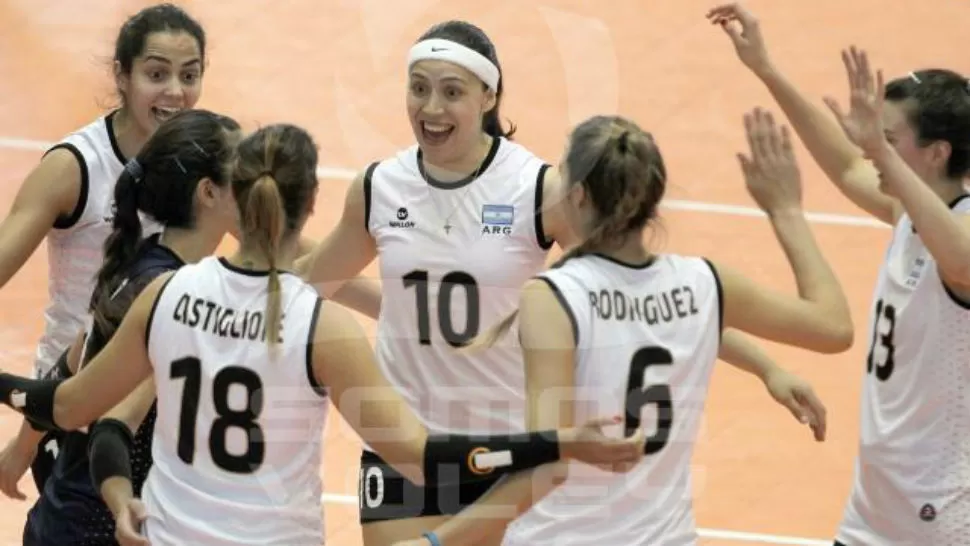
x: 659, y: 395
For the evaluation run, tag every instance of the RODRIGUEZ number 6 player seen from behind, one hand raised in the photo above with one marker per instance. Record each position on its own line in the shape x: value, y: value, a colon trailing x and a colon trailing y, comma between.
x: 614, y: 326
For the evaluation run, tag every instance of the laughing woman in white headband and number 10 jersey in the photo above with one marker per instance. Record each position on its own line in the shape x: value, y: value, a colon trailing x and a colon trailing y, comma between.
x: 461, y: 220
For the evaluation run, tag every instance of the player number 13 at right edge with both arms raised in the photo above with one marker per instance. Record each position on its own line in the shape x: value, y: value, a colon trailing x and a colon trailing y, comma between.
x: 902, y: 154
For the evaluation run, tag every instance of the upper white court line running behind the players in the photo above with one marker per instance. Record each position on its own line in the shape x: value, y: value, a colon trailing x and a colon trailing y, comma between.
x: 337, y: 173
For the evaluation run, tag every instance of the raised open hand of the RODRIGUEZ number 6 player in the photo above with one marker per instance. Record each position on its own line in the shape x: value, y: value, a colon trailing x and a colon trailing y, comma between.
x: 771, y: 172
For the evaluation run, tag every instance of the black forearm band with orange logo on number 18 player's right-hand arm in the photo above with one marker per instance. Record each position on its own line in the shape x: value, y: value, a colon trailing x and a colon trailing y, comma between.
x: 450, y: 458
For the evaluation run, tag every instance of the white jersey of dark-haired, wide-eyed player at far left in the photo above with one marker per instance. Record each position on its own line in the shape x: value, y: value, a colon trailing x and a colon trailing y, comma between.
x: 75, y: 247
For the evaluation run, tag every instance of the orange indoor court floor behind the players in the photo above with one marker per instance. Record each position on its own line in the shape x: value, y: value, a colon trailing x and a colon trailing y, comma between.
x: 337, y: 67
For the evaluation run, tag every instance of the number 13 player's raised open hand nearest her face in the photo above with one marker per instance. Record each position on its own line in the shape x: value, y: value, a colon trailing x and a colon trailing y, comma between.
x: 863, y: 122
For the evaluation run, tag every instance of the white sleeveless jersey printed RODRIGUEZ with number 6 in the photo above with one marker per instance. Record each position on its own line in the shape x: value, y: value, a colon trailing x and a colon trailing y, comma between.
x: 647, y: 340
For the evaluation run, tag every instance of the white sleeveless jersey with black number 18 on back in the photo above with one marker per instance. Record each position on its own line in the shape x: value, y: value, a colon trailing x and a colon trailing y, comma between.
x: 237, y: 444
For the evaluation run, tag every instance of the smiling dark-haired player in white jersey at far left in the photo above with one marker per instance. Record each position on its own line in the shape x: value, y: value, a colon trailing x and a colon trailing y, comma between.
x: 158, y: 66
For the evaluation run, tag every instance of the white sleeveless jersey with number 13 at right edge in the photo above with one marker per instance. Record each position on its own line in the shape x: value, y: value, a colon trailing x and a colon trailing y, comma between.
x: 912, y: 473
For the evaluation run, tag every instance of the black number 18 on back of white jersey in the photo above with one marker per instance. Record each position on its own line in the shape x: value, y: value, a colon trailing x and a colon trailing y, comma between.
x: 190, y: 369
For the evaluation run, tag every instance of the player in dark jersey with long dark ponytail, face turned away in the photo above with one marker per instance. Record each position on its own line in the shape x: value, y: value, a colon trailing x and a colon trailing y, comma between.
x: 180, y: 180
